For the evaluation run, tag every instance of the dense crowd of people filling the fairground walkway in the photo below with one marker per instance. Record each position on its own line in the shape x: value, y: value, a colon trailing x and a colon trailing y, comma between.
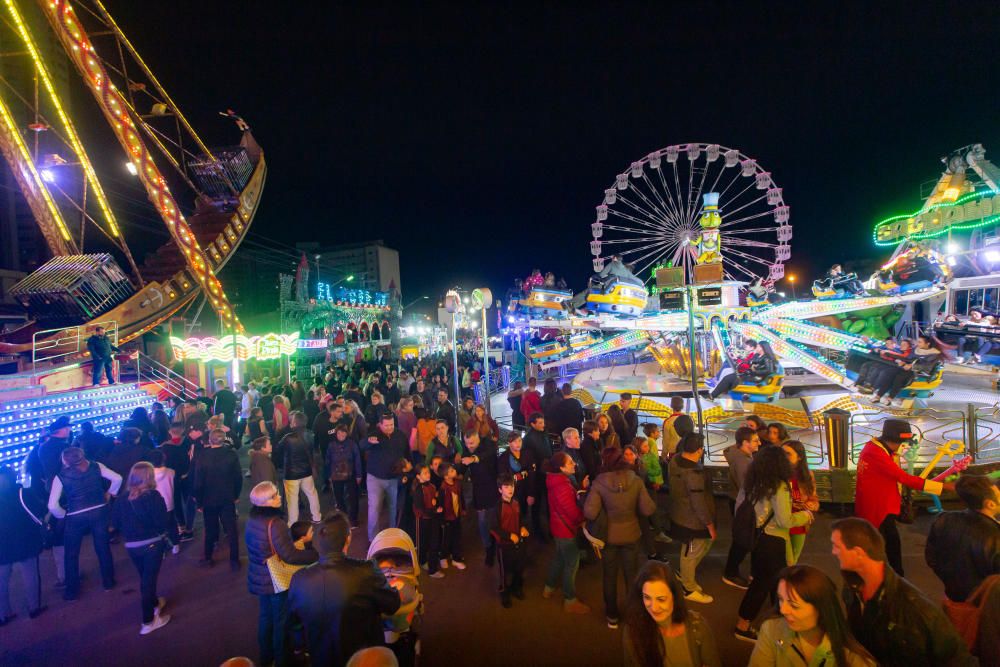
x: 605, y: 488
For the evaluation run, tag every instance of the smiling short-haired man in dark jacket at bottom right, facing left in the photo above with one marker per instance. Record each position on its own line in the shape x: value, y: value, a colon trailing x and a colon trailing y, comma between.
x: 887, y: 614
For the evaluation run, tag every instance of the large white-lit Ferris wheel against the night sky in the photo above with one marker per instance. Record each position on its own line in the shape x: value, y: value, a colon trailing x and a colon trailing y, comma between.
x: 651, y: 214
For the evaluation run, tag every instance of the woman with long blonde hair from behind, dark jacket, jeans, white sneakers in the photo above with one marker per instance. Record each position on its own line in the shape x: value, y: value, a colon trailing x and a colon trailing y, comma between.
x: 141, y: 517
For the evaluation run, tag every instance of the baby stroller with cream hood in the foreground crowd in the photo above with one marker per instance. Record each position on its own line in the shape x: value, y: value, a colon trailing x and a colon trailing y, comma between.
x: 394, y: 554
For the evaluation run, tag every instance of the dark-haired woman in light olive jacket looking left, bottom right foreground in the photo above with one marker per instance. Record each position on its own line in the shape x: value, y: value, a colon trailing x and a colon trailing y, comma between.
x: 810, y: 626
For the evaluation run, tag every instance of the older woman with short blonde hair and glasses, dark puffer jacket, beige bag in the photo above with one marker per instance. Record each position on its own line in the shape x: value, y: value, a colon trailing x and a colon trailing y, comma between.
x: 267, y: 534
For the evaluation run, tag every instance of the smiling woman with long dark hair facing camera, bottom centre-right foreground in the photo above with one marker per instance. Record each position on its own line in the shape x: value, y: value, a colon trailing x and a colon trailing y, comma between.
x: 659, y: 629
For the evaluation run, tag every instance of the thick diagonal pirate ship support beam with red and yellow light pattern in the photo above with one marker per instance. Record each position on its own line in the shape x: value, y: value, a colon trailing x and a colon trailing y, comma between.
x: 78, y: 46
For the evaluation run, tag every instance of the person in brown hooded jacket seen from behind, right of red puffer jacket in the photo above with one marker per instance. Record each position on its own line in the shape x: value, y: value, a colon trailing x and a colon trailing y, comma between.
x: 623, y: 497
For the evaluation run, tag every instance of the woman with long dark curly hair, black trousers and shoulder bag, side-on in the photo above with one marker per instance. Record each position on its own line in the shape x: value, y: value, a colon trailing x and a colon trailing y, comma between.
x: 767, y: 488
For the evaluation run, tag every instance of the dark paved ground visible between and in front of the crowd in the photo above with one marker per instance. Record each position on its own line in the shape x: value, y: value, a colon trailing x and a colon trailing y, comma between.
x: 215, y: 618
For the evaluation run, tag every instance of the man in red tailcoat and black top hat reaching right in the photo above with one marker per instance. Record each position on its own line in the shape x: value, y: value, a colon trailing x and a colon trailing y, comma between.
x: 877, y: 494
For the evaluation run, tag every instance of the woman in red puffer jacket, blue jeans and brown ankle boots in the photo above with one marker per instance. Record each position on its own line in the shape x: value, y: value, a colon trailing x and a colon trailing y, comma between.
x: 565, y: 520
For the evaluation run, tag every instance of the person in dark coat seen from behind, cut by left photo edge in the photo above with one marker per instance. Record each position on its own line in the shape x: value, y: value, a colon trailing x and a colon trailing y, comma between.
x: 21, y: 516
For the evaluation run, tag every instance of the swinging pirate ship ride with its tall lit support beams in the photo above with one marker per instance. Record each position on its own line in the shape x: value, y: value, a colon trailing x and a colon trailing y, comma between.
x: 204, y: 198
